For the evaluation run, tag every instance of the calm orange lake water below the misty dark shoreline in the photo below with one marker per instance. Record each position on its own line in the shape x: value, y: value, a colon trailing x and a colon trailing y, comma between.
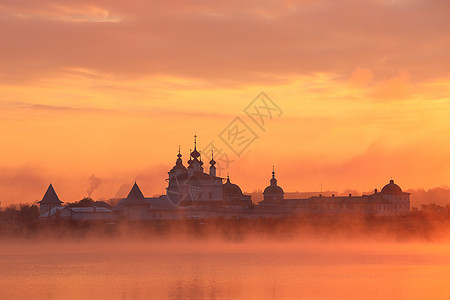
x: 215, y: 270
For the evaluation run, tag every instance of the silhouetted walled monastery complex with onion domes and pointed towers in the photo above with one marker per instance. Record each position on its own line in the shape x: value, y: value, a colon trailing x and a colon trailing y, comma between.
x: 193, y: 193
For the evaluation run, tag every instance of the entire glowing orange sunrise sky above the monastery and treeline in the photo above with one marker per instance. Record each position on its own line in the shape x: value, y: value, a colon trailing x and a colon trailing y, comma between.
x: 111, y: 88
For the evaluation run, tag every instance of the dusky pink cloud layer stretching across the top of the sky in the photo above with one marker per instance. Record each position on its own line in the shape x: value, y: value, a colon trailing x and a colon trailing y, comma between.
x: 233, y: 41
